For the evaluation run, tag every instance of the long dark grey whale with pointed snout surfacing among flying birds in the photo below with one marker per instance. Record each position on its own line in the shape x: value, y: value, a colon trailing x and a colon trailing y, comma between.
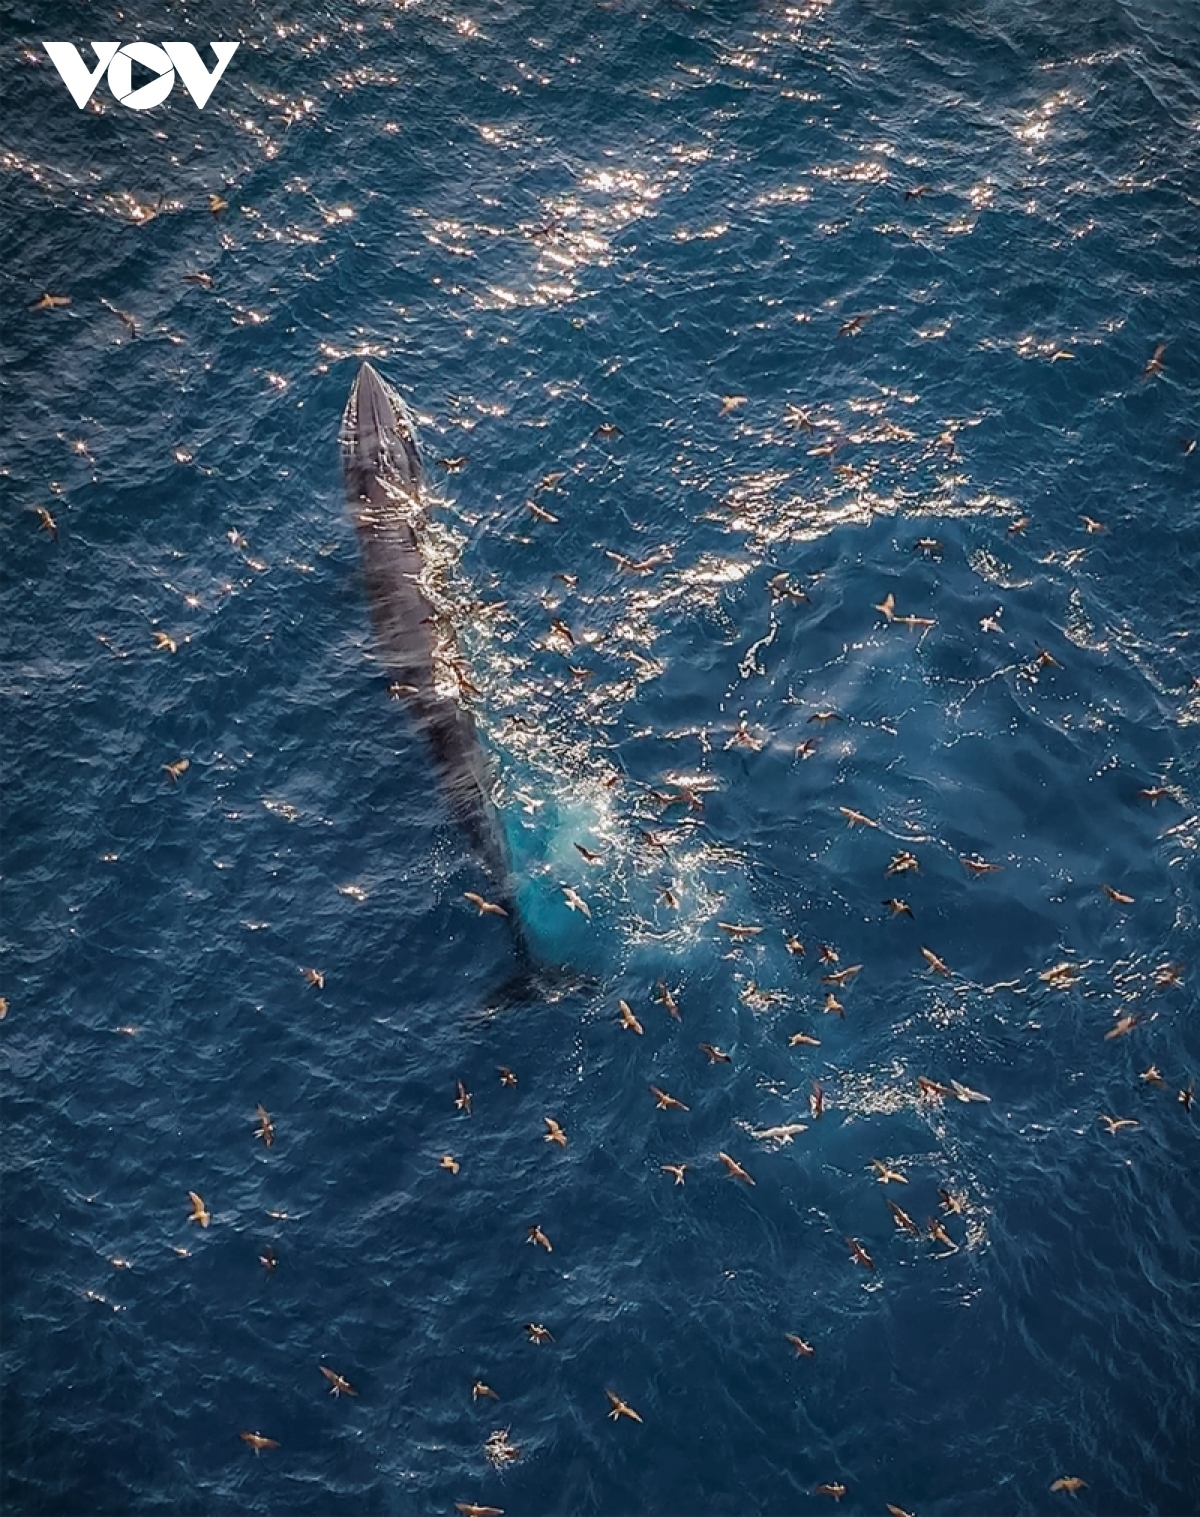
x: 388, y: 500
